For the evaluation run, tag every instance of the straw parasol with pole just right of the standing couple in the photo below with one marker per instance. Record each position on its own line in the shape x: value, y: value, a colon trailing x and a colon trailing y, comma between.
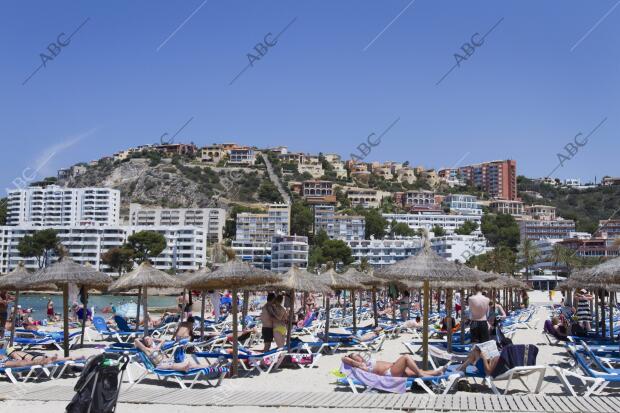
x: 298, y: 280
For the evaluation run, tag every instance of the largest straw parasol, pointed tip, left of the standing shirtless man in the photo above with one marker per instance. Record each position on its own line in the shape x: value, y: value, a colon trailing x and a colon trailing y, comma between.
x: 428, y: 267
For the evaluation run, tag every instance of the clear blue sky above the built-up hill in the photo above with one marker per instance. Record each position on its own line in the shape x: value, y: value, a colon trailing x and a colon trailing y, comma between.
x: 341, y: 71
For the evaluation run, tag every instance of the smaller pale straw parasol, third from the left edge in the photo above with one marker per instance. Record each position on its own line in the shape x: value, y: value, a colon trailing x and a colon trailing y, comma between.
x: 145, y: 276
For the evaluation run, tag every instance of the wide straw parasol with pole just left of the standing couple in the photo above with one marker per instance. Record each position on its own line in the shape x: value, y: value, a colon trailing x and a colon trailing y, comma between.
x: 232, y: 275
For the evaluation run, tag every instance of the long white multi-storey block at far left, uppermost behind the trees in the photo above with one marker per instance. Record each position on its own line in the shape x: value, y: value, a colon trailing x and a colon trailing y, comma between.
x: 54, y: 205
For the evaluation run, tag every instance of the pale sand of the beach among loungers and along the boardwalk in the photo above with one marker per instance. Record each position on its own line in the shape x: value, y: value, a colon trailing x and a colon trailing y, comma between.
x: 316, y: 380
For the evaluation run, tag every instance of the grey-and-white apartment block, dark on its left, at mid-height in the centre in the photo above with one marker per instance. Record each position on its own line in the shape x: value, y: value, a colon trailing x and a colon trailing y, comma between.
x: 342, y: 227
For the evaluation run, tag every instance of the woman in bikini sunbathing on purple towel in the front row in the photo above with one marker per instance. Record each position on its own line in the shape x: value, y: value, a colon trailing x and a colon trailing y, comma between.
x: 404, y: 366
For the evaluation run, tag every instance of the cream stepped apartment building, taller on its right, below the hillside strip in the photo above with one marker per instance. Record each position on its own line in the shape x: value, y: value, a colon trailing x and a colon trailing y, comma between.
x: 262, y: 227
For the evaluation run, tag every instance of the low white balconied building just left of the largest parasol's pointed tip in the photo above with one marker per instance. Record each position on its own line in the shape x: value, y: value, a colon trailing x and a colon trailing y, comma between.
x: 385, y: 251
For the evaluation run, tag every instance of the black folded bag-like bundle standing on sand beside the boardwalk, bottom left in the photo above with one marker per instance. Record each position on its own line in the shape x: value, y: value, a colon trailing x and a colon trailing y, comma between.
x: 98, y: 386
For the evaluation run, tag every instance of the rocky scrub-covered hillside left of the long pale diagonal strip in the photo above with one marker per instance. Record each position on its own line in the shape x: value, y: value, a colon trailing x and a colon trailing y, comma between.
x: 173, y: 183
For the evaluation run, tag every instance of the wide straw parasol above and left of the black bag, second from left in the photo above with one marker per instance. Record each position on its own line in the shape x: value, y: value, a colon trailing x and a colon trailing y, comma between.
x: 63, y: 273
